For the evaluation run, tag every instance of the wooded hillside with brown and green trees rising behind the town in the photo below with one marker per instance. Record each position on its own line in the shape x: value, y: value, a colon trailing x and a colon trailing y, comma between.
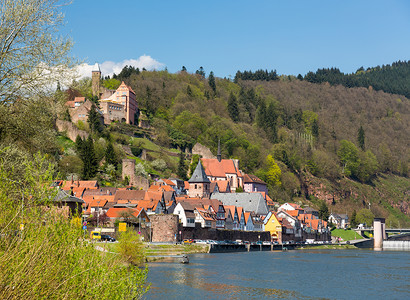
x: 285, y: 130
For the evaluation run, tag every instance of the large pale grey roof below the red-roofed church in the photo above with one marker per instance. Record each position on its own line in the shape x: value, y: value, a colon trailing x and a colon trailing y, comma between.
x: 249, y: 201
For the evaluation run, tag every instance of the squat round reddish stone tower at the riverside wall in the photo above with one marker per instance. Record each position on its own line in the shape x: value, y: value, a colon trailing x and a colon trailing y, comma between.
x: 164, y: 228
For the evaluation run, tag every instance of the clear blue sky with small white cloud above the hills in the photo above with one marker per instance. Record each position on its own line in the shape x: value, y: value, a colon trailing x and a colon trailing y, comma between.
x: 225, y: 36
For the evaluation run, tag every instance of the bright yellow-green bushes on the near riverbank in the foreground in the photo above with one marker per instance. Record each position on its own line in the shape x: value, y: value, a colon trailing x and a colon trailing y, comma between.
x: 49, y: 258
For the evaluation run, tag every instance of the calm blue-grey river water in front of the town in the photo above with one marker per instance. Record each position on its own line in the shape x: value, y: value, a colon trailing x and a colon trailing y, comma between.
x: 298, y: 274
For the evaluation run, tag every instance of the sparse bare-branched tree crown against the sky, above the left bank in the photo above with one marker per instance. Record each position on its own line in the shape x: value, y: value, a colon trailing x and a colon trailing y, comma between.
x: 32, y: 55
